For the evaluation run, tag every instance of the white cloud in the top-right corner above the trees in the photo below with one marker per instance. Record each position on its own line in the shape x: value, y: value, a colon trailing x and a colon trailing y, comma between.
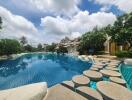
x: 124, y: 5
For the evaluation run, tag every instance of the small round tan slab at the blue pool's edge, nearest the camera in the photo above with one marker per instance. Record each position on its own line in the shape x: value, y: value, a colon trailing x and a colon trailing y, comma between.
x: 81, y: 80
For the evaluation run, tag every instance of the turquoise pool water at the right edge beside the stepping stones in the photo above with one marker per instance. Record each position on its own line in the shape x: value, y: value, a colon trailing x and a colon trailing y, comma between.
x: 126, y: 71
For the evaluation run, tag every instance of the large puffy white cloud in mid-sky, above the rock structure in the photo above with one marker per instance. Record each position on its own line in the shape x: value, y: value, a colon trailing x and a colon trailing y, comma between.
x: 77, y: 25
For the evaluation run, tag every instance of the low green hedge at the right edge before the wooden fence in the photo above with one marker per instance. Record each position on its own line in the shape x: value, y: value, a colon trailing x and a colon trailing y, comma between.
x: 122, y: 54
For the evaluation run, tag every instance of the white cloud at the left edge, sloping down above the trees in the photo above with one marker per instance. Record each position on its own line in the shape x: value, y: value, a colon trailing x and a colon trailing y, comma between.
x: 15, y: 26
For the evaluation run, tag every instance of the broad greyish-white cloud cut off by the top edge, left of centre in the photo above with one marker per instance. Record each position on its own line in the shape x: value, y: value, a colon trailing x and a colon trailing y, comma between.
x: 62, y: 7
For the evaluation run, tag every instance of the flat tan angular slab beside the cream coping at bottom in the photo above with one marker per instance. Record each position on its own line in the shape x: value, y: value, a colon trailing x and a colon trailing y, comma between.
x: 60, y: 92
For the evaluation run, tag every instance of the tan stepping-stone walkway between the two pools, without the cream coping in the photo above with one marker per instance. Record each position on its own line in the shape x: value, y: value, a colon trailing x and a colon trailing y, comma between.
x: 106, y: 67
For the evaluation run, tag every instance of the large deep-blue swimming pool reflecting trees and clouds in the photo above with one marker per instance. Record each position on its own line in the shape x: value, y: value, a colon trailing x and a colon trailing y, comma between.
x: 33, y: 68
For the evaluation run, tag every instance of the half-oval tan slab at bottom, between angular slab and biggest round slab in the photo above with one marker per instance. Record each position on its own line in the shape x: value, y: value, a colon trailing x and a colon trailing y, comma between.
x: 89, y: 93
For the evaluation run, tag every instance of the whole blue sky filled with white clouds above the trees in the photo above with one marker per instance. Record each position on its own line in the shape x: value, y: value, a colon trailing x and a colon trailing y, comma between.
x: 47, y: 21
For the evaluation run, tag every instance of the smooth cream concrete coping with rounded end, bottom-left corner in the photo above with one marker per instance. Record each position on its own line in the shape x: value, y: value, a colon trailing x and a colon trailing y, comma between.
x: 35, y: 91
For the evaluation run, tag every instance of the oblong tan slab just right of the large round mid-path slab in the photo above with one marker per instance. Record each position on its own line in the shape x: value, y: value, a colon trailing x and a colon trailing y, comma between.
x: 110, y: 73
